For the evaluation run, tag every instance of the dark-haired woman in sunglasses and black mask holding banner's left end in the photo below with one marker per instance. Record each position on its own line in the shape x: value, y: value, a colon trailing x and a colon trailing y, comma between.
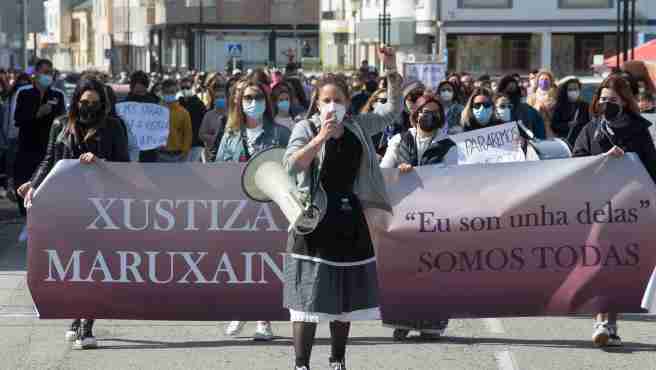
x: 90, y: 134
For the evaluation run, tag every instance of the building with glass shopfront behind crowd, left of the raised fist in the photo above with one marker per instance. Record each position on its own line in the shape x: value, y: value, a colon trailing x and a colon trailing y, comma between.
x: 209, y: 34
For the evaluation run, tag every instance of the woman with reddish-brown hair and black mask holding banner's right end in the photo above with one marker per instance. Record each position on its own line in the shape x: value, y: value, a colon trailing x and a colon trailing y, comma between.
x: 616, y: 128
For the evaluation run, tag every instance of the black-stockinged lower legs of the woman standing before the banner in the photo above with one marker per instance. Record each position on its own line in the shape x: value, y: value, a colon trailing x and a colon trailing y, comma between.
x: 304, y: 334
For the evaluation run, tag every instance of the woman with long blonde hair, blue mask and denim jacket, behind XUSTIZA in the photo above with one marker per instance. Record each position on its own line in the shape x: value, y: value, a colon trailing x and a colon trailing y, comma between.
x: 250, y: 129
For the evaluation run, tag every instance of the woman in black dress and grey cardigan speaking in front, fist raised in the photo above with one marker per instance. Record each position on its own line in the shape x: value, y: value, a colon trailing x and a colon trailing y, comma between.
x: 330, y: 272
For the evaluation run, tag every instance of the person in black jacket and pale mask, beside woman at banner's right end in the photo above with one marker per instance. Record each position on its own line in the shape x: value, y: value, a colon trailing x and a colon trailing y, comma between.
x: 571, y: 113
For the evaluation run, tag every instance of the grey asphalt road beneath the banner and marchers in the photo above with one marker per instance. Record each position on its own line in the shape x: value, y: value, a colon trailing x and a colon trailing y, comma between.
x: 506, y: 344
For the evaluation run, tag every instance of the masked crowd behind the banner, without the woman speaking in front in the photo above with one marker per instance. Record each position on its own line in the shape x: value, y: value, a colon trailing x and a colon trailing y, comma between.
x: 215, y: 117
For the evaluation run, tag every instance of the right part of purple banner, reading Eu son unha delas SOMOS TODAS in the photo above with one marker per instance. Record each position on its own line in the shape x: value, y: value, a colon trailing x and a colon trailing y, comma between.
x: 516, y: 239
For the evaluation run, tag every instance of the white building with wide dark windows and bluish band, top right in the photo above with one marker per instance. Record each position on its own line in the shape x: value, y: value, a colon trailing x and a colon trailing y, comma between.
x: 501, y: 36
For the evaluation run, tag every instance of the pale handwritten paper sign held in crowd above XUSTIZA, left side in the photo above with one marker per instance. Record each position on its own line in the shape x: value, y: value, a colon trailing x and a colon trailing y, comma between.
x: 149, y: 123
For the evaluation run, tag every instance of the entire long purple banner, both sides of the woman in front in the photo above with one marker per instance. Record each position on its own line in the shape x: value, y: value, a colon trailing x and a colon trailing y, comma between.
x: 170, y: 242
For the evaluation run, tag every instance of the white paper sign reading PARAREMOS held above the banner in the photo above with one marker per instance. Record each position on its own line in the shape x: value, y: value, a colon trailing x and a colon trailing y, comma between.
x: 496, y: 144
